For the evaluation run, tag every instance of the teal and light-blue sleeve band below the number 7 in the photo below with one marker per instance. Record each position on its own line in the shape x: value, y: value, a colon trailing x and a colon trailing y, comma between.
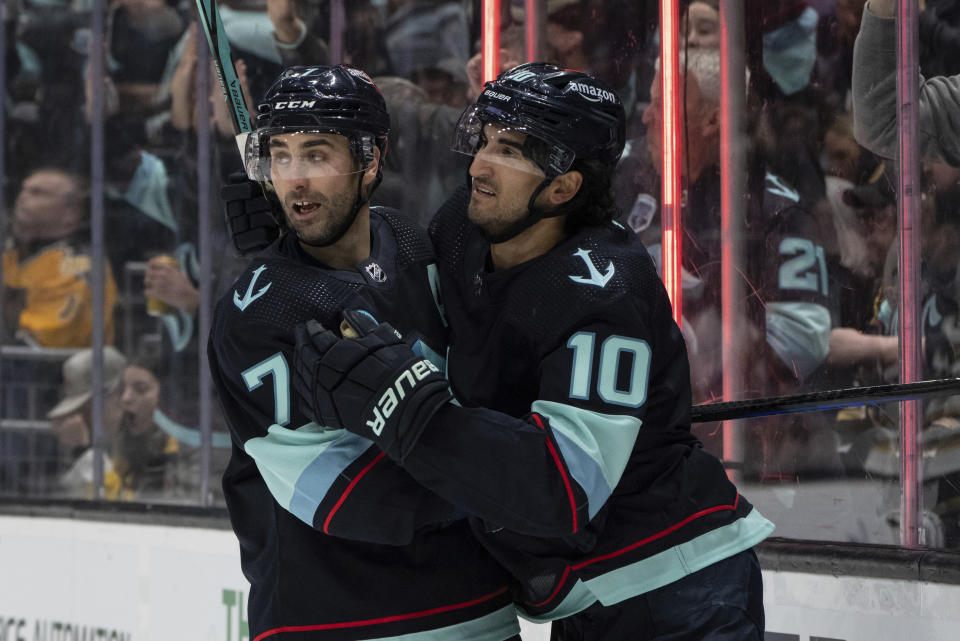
x: 299, y: 466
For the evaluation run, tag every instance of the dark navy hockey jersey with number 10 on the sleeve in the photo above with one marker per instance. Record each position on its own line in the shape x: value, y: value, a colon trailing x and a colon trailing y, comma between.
x: 572, y: 445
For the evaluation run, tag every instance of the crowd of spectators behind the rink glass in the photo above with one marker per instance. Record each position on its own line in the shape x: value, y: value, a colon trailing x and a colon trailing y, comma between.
x: 424, y: 55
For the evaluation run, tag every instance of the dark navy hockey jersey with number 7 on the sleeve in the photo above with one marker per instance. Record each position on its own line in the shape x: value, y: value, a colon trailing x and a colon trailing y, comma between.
x: 338, y: 542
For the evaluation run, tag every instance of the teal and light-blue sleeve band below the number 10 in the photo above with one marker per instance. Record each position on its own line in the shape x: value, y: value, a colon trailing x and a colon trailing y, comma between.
x: 595, y: 446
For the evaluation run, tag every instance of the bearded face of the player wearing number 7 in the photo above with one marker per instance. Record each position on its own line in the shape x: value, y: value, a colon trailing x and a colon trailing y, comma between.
x: 315, y: 177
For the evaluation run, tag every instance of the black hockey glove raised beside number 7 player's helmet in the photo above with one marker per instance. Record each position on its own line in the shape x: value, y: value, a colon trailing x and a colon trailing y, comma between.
x: 249, y: 214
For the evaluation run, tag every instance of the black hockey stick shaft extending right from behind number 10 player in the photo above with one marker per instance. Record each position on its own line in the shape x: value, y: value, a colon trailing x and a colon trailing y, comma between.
x: 828, y: 400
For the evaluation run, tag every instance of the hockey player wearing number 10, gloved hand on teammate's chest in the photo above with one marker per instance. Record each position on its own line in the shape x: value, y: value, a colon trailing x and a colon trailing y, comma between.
x: 569, y: 442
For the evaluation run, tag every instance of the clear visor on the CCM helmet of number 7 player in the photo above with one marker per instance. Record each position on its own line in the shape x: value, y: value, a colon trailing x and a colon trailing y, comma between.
x: 273, y: 154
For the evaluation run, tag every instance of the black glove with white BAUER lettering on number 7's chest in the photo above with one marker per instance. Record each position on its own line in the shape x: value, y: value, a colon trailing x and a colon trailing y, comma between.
x: 374, y: 386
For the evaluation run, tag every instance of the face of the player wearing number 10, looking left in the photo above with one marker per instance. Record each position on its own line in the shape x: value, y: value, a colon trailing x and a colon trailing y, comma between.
x: 503, y: 180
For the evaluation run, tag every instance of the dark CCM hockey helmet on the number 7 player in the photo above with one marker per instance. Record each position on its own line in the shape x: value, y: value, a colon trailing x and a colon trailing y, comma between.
x: 337, y: 99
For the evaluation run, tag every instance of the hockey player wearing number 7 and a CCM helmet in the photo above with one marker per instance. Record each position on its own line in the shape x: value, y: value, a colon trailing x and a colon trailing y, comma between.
x: 337, y: 541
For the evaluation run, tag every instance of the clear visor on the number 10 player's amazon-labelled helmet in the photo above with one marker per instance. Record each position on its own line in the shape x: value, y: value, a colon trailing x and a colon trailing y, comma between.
x: 508, y: 145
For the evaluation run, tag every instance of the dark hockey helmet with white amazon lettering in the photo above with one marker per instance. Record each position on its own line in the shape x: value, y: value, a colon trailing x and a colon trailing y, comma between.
x: 569, y: 111
